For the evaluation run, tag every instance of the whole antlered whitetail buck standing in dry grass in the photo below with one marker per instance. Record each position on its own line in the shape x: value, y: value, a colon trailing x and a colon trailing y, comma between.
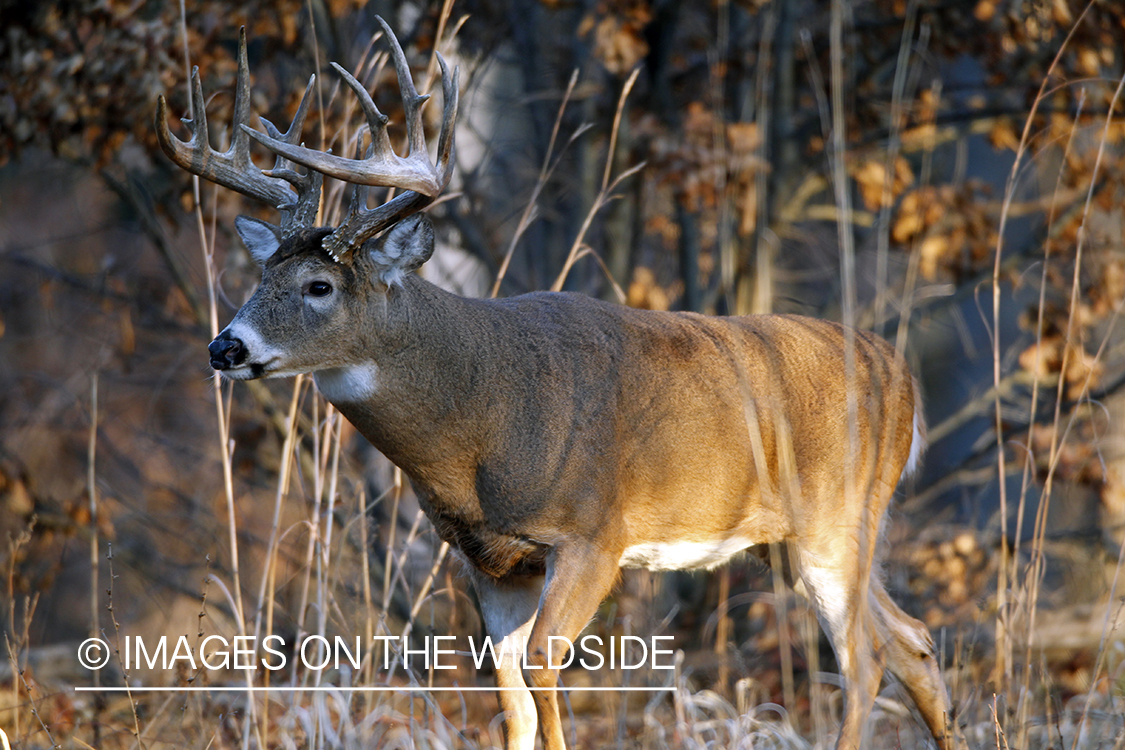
x: 554, y: 439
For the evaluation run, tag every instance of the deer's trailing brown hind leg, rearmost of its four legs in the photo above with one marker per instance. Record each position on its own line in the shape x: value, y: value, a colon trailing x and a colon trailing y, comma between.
x: 910, y: 654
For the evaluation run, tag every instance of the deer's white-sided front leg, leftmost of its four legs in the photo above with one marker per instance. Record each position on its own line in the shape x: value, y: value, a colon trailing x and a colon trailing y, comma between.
x: 509, y: 609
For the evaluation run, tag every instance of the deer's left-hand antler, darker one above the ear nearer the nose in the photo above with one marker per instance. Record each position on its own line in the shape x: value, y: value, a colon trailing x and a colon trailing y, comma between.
x: 233, y: 169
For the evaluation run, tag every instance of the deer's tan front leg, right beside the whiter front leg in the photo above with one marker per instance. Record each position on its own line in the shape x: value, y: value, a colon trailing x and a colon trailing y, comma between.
x: 580, y: 575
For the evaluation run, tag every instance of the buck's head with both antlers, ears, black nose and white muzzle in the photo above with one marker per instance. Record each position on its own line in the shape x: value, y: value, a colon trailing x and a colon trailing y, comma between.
x: 318, y: 282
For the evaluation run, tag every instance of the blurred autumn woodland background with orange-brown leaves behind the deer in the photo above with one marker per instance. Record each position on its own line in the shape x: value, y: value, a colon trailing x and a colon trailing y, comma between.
x: 947, y: 174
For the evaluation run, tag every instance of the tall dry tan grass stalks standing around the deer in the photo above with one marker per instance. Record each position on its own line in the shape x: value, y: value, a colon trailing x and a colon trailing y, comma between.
x: 341, y: 589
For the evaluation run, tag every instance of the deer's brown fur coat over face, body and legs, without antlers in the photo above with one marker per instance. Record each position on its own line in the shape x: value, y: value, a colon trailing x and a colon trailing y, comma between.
x: 552, y: 436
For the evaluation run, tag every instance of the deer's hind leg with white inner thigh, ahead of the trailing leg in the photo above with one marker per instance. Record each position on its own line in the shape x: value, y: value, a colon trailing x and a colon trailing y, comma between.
x: 832, y: 581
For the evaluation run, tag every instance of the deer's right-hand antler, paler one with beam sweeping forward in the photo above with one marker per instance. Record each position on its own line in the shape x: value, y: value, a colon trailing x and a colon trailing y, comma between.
x: 421, y: 179
